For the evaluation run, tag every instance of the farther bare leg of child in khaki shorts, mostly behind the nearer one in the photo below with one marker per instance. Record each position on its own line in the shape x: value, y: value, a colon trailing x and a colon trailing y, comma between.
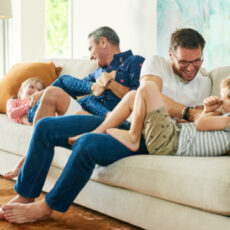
x: 120, y: 113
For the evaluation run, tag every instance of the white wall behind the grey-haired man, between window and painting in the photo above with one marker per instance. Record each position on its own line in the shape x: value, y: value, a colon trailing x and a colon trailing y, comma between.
x: 133, y: 20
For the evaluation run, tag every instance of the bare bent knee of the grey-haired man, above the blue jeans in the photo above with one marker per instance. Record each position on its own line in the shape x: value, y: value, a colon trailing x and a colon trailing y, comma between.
x: 54, y: 100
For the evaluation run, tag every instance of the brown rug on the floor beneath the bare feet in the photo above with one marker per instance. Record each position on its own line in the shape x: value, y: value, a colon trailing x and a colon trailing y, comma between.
x: 77, y: 216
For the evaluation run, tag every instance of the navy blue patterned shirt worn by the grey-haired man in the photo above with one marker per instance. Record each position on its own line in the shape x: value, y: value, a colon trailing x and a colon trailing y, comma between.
x: 128, y: 67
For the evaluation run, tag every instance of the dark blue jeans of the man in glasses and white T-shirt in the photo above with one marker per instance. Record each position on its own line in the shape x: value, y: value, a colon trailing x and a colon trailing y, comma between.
x: 89, y: 150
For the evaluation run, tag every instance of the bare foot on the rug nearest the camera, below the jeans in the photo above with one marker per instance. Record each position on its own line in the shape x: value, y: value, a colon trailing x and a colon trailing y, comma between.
x: 26, y: 213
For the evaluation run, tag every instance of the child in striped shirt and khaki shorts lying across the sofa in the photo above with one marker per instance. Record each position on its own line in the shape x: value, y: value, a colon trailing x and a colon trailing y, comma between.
x: 208, y: 136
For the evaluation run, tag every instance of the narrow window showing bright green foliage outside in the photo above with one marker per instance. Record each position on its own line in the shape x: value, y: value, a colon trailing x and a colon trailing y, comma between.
x: 57, y: 28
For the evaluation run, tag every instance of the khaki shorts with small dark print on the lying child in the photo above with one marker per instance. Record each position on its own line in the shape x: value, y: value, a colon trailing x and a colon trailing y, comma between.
x: 160, y: 132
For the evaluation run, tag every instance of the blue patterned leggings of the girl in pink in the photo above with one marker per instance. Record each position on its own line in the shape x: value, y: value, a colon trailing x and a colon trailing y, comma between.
x: 76, y: 87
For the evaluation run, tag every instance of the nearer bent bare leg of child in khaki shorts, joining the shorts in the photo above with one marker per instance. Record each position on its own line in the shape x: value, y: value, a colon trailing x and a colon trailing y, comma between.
x: 148, y: 98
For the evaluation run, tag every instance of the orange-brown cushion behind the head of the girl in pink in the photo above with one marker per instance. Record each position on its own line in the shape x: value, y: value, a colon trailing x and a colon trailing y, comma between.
x: 10, y: 84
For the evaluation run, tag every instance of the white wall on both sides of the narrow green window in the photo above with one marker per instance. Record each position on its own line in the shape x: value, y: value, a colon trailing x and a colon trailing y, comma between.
x: 134, y: 21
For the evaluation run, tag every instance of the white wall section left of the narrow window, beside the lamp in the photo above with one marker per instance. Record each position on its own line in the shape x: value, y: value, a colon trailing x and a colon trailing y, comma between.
x: 27, y: 30
